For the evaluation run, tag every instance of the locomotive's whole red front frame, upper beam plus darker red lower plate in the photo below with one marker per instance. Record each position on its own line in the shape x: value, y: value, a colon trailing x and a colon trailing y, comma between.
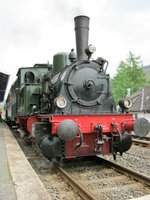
x: 111, y: 124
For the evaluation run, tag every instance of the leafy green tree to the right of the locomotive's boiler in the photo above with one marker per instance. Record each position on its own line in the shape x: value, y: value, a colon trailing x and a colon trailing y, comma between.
x: 129, y: 75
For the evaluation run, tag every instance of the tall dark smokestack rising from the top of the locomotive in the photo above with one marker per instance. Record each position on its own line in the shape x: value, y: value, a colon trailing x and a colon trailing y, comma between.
x: 82, y: 35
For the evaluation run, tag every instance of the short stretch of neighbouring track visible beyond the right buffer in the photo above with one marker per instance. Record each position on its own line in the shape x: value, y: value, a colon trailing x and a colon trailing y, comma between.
x: 144, y: 142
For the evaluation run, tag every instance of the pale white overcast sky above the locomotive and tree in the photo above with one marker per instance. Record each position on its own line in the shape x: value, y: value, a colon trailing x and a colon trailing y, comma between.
x: 32, y: 31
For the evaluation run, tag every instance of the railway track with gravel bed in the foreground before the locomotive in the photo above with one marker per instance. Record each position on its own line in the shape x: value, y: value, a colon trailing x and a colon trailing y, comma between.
x: 105, y: 186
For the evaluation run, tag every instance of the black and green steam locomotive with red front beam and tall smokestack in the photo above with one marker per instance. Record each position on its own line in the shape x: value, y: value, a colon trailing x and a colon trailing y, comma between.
x: 67, y: 108
